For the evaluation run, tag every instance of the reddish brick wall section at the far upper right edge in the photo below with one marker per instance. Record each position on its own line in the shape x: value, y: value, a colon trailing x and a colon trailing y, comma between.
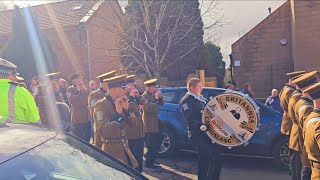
x: 306, y: 34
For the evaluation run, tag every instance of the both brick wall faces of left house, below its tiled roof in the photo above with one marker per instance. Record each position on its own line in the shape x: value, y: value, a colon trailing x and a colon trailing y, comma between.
x: 91, y: 49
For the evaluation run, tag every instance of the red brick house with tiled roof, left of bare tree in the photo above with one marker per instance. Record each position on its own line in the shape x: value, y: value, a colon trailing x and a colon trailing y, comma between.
x: 83, y: 34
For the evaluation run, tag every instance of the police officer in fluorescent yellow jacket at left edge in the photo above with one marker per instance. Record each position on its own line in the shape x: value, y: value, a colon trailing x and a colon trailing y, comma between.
x: 16, y: 103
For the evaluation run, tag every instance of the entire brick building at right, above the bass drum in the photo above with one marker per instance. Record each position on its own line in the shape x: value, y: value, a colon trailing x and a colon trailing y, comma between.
x: 287, y: 40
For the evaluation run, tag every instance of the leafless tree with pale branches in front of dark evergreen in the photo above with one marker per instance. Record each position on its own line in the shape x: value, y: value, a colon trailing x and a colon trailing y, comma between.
x: 163, y: 35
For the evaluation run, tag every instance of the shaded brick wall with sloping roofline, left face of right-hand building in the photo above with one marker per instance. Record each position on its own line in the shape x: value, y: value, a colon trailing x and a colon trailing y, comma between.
x: 264, y: 61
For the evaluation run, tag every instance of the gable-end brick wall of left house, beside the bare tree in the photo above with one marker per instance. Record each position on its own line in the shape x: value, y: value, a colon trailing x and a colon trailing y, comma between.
x: 103, y: 32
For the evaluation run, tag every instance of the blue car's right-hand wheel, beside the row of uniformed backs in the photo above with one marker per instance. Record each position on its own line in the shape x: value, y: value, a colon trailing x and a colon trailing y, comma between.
x: 281, y: 153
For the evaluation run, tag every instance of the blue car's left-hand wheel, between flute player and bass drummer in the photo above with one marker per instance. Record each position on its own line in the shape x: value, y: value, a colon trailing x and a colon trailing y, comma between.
x: 167, y: 142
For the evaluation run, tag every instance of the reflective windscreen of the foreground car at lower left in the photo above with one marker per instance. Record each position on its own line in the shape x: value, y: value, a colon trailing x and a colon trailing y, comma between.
x: 63, y: 158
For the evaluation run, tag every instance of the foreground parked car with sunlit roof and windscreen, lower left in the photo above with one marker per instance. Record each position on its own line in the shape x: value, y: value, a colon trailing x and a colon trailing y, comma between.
x: 32, y: 152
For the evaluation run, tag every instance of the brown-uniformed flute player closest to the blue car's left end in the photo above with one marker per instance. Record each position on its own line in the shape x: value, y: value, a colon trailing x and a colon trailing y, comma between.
x: 153, y: 99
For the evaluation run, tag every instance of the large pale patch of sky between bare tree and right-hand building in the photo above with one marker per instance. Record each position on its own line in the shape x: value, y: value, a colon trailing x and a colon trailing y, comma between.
x: 241, y: 16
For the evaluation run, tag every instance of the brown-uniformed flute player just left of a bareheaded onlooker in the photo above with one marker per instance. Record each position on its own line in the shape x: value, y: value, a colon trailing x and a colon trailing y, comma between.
x: 78, y: 98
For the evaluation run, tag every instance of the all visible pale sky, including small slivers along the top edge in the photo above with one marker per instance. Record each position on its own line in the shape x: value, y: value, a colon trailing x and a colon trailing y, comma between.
x: 239, y: 17
